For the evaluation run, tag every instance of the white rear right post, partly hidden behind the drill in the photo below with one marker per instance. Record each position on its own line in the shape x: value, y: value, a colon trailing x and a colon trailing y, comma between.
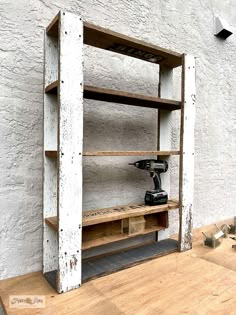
x: 165, y: 129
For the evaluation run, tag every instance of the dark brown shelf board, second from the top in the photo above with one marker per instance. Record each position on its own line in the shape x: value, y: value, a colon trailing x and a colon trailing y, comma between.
x: 121, y: 97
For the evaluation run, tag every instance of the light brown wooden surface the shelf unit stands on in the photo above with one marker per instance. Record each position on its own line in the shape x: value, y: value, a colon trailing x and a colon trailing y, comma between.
x: 201, y: 281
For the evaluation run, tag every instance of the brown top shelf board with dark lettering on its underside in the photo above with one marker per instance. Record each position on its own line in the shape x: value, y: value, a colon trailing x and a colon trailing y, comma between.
x: 106, y: 39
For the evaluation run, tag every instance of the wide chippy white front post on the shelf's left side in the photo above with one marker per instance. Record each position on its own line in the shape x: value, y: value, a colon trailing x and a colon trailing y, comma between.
x: 70, y: 146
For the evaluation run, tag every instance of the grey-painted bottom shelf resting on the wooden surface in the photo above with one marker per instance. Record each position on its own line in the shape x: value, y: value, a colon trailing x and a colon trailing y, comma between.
x: 98, y: 267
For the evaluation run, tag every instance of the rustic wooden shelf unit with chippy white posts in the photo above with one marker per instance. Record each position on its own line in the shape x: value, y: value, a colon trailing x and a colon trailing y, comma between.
x: 64, y: 219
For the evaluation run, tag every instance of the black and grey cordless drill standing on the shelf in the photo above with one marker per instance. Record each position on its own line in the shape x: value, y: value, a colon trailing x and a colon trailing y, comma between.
x: 155, y: 167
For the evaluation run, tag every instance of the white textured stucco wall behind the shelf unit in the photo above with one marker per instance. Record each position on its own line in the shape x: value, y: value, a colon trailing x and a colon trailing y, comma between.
x: 178, y: 25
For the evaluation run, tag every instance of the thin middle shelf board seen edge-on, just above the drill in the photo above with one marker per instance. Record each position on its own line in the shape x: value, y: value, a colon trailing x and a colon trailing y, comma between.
x: 53, y: 154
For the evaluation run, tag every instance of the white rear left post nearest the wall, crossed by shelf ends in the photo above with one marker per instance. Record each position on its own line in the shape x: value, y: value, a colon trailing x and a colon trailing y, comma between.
x: 50, y: 242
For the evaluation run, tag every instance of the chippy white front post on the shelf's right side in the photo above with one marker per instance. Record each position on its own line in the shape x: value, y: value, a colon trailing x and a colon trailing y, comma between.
x: 187, y: 150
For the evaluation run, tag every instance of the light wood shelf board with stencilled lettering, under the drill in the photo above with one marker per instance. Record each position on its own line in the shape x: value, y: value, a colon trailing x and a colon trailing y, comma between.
x: 92, y: 217
